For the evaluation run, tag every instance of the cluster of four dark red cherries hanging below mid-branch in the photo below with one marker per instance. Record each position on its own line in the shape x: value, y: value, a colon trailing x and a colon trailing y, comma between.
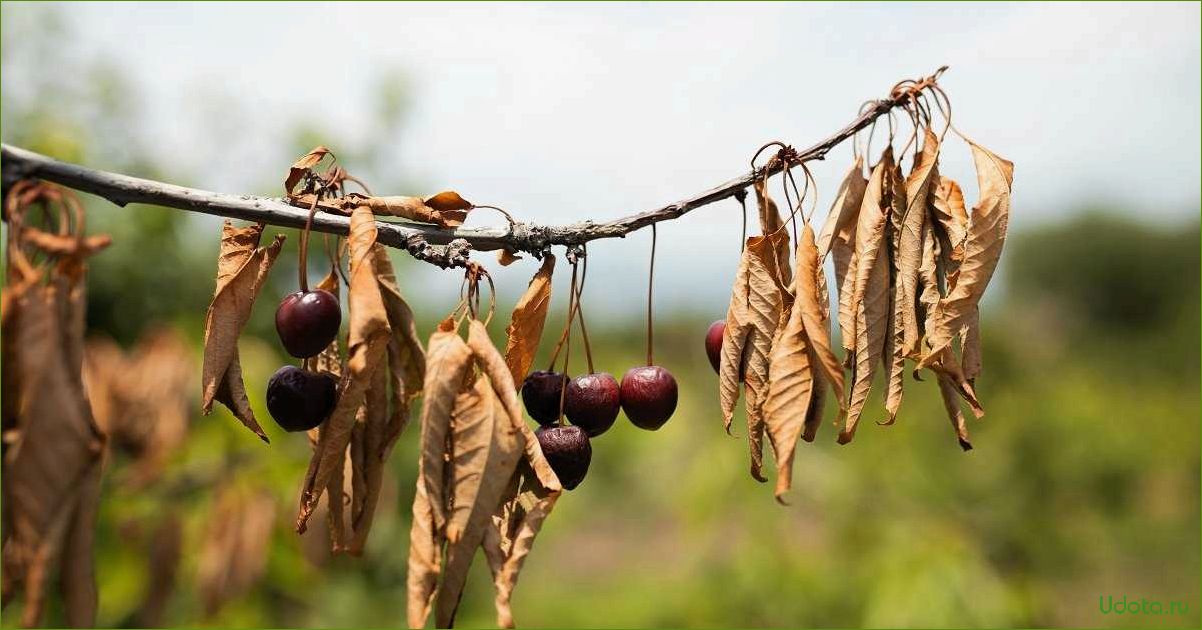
x: 648, y: 396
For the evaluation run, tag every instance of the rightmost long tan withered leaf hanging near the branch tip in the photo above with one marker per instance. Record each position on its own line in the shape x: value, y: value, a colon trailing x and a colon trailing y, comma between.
x: 983, y: 249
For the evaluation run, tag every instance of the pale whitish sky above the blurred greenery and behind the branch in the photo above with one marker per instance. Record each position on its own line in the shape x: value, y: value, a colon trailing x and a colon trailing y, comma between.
x: 587, y: 111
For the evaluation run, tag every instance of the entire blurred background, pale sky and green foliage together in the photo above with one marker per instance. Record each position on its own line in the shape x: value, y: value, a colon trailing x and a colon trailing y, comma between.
x: 1086, y: 477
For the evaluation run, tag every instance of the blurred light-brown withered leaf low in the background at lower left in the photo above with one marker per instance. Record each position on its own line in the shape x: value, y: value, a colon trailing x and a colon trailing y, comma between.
x: 234, y: 552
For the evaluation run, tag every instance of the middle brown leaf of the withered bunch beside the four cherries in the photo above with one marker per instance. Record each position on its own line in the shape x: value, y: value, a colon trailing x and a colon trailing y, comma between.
x: 504, y: 453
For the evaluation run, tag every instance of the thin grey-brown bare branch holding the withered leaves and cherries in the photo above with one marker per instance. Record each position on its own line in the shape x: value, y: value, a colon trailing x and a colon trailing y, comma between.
x: 430, y: 243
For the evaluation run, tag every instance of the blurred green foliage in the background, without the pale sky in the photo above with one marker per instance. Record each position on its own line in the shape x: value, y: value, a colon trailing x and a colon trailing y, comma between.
x: 1085, y: 480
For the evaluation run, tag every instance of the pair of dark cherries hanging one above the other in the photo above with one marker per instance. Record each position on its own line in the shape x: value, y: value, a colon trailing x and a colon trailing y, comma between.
x: 307, y: 323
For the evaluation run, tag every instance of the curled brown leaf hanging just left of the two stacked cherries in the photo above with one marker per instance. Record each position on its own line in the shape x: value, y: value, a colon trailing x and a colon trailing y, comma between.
x: 242, y: 269
